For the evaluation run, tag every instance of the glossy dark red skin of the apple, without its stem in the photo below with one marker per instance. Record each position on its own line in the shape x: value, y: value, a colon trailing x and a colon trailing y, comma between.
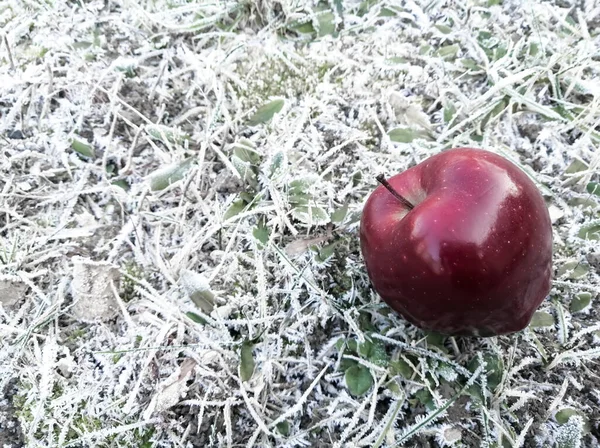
x: 474, y: 255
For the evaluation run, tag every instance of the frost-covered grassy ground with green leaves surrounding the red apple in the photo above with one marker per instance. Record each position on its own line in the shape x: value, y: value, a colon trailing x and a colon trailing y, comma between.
x: 180, y: 189
